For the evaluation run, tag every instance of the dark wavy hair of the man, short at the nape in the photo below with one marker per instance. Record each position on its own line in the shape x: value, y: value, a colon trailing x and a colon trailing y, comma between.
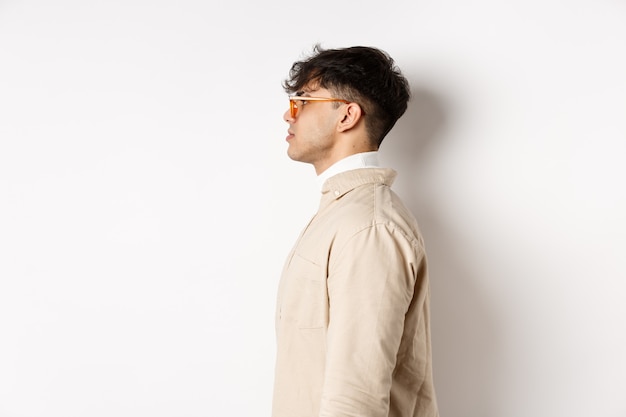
x: 364, y: 75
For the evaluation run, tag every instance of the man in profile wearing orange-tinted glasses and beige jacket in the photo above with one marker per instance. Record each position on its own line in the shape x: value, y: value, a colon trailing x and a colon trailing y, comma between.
x: 352, y: 319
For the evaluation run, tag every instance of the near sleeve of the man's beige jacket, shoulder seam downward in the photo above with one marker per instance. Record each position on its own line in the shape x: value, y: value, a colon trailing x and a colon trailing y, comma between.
x: 371, y: 281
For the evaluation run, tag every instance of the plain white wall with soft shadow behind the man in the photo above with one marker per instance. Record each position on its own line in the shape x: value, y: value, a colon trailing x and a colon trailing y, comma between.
x: 147, y: 203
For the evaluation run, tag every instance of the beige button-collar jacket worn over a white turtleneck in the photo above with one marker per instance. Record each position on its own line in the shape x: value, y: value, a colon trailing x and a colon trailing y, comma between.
x: 352, y: 318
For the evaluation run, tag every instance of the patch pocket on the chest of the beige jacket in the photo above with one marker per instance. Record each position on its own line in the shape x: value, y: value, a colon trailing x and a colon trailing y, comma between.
x: 305, y: 300
